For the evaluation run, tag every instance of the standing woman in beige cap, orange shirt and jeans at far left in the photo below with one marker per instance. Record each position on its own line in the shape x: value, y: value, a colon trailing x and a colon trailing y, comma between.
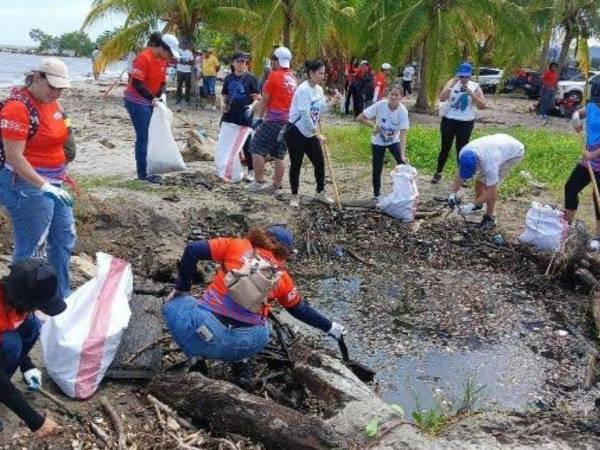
x: 33, y: 167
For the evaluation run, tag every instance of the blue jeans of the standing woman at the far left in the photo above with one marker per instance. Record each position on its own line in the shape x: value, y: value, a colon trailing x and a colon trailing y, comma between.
x: 41, y: 227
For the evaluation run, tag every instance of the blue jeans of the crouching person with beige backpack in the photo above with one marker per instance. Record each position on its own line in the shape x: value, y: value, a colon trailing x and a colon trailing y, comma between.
x: 185, y: 316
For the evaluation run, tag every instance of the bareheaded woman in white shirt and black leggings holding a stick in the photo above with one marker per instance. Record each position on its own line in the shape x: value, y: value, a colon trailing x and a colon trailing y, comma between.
x: 303, y: 136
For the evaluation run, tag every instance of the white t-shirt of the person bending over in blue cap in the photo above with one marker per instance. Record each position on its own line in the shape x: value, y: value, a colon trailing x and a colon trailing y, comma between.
x: 493, y: 152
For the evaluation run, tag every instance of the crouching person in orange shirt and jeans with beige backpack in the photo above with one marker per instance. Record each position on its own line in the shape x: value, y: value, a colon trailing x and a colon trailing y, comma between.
x: 229, y: 321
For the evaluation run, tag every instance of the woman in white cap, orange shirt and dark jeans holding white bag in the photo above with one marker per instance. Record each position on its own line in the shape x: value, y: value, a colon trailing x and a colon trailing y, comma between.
x: 147, y: 86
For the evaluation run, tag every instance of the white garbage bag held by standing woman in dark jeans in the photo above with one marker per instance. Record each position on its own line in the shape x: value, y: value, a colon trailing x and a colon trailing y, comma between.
x: 163, y: 155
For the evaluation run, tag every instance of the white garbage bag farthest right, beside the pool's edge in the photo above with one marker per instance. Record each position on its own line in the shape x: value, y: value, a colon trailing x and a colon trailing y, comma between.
x: 545, y: 227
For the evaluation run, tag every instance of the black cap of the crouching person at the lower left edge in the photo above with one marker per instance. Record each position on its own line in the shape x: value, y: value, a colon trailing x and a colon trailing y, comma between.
x: 33, y: 282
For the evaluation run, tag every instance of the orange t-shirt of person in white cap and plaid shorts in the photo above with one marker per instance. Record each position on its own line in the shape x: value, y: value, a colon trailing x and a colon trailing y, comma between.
x: 280, y: 86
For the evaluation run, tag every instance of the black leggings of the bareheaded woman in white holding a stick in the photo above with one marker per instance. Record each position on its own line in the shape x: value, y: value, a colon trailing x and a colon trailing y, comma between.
x: 298, y: 145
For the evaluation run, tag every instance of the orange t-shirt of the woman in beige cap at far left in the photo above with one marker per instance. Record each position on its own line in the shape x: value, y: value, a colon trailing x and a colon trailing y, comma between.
x: 46, y: 148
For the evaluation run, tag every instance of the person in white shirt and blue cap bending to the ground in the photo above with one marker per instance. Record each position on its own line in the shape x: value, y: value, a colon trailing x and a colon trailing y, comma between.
x: 492, y: 157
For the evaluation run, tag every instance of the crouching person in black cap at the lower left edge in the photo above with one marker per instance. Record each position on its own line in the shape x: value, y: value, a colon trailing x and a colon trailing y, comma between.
x: 31, y: 285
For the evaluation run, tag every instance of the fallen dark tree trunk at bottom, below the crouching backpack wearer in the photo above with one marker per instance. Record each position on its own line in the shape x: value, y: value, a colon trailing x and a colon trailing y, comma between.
x: 230, y: 409
